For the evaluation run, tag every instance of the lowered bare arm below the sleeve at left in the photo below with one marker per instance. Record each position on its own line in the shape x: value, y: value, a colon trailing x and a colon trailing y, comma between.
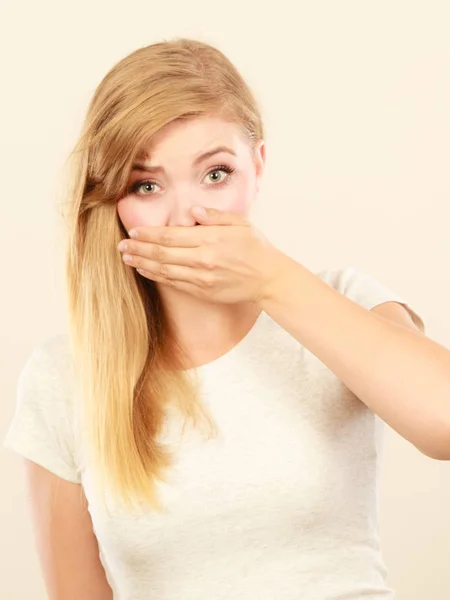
x: 67, y: 546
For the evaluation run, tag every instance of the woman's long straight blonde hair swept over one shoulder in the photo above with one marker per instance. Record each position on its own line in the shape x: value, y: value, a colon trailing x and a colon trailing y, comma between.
x: 125, y: 354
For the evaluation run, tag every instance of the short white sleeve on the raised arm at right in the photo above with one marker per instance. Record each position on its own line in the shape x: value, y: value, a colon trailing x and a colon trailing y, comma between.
x: 365, y: 290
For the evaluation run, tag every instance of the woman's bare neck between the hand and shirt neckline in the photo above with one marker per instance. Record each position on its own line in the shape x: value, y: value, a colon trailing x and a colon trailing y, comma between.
x: 206, y: 330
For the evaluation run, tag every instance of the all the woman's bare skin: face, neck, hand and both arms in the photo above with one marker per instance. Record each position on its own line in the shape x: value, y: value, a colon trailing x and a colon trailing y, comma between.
x: 214, y: 280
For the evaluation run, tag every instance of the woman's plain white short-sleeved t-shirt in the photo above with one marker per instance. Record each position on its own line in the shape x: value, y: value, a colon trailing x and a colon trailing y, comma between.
x: 281, y: 506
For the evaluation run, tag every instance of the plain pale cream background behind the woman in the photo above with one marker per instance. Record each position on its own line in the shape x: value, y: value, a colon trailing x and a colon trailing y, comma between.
x: 356, y: 100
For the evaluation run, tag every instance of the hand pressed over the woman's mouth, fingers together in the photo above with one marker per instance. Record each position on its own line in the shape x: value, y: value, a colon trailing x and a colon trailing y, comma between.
x: 223, y: 259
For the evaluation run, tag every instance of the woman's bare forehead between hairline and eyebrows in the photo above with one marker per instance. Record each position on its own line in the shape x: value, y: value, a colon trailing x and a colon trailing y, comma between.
x: 188, y: 137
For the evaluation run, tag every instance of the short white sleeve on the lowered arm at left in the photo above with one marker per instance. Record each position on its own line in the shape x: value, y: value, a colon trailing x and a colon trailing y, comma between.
x: 42, y: 429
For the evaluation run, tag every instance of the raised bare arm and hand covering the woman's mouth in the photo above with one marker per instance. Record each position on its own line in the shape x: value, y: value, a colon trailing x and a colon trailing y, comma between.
x: 381, y: 355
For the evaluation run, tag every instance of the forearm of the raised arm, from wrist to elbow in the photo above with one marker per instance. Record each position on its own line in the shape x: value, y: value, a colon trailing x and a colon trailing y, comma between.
x: 400, y: 374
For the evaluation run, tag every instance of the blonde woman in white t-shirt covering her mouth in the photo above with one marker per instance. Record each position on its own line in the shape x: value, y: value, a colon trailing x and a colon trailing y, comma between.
x: 179, y: 331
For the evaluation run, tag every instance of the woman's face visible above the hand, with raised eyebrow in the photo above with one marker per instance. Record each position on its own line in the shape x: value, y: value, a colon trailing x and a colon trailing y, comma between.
x: 204, y: 161
